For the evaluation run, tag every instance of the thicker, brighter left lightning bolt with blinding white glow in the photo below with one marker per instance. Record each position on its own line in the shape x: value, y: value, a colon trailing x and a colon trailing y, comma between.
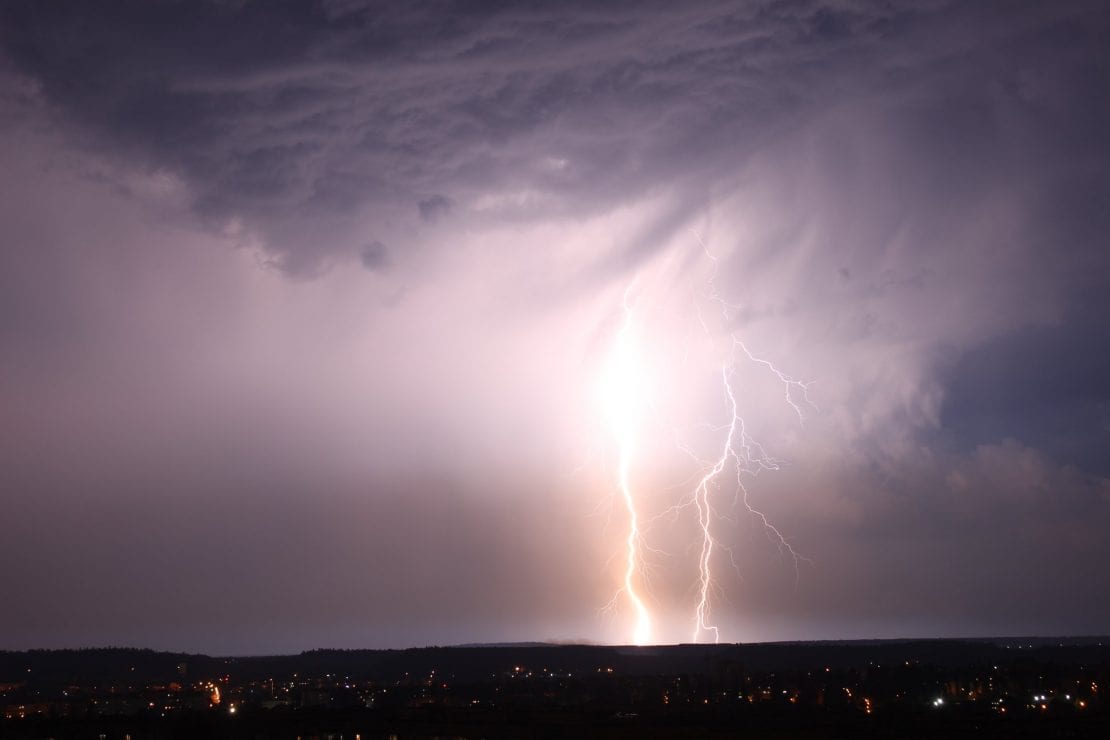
x: 624, y: 401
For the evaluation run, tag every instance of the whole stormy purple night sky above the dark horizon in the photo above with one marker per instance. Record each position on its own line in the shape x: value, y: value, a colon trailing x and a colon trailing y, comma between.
x: 335, y: 325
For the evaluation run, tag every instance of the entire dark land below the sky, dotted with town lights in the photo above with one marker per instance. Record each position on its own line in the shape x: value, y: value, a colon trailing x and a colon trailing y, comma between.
x: 1006, y: 688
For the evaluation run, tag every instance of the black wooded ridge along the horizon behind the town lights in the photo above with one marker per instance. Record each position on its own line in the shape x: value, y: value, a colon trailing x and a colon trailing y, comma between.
x: 480, y: 663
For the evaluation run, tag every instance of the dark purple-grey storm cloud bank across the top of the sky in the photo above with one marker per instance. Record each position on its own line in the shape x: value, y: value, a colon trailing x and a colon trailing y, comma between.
x: 280, y: 113
